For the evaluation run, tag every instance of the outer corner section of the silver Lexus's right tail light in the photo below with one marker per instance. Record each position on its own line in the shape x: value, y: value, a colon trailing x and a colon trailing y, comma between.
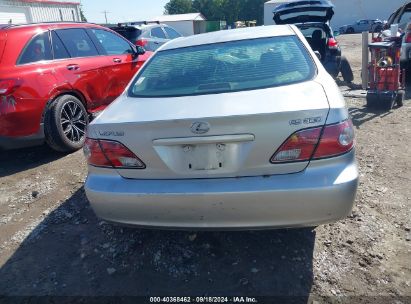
x: 336, y: 140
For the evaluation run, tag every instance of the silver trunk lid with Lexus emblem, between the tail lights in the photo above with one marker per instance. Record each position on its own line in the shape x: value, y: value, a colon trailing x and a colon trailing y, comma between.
x: 220, y: 135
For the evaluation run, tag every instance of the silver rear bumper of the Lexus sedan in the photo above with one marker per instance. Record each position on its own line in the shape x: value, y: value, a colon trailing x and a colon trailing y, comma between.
x: 322, y: 193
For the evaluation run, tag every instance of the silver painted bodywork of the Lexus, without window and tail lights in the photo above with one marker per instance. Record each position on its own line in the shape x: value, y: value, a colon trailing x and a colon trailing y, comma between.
x: 247, y: 191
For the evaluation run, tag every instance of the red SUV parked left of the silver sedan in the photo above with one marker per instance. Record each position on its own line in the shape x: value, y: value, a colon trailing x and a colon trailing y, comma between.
x: 54, y: 76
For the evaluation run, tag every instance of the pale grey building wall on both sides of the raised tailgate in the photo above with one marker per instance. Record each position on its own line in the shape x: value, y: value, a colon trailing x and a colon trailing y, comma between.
x: 346, y: 11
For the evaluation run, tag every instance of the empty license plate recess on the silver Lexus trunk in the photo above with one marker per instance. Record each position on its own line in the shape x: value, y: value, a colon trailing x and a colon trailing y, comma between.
x: 204, y: 156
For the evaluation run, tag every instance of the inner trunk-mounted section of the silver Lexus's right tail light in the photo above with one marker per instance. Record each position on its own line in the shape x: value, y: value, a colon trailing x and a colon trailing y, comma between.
x: 298, y: 147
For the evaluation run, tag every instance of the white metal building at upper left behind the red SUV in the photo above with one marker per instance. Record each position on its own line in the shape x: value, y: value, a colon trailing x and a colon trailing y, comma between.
x: 46, y: 12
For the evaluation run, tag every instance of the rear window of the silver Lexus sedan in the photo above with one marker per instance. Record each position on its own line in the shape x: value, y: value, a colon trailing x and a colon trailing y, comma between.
x: 224, y: 67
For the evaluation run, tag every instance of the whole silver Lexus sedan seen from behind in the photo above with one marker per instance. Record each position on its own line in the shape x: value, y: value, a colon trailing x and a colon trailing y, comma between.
x: 238, y: 129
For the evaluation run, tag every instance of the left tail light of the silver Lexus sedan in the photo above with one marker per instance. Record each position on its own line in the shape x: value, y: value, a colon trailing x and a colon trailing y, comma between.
x: 107, y: 153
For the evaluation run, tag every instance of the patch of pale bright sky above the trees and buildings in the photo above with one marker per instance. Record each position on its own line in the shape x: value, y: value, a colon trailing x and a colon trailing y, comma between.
x: 122, y: 10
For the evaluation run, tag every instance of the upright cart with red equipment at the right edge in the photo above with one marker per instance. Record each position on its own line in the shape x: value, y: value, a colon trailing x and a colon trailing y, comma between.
x: 386, y: 84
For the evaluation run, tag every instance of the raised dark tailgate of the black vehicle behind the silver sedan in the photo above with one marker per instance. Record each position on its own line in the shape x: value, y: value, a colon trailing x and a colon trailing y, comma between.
x: 304, y: 11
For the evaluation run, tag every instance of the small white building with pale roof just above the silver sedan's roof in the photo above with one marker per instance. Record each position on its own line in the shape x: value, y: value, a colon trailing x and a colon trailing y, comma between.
x: 186, y: 24
